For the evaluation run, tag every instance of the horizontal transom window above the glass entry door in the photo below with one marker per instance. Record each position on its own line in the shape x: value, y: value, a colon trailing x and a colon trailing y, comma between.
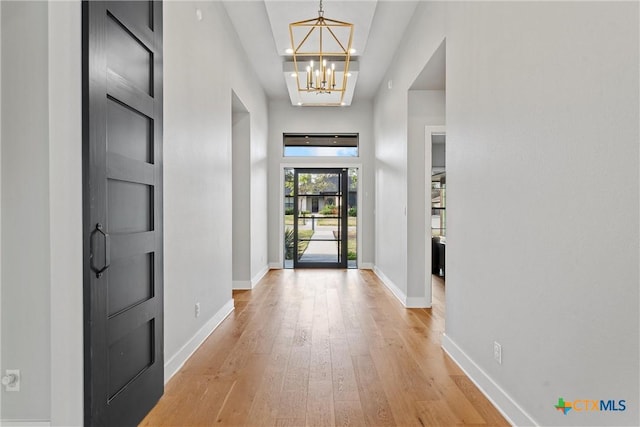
x: 320, y: 145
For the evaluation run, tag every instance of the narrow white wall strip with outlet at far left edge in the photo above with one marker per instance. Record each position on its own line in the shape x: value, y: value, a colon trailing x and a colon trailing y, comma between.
x: 25, y: 215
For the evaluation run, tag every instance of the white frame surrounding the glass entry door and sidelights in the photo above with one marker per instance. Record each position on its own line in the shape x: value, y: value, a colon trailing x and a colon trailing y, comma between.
x: 296, y: 163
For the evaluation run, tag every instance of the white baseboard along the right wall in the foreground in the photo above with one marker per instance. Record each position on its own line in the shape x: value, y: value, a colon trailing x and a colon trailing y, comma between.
x: 514, y: 414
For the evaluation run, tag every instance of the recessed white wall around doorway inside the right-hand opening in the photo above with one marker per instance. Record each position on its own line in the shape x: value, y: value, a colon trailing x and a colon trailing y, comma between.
x: 426, y: 108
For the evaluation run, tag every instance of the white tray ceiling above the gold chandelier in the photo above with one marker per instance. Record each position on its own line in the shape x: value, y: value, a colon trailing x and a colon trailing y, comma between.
x: 263, y: 29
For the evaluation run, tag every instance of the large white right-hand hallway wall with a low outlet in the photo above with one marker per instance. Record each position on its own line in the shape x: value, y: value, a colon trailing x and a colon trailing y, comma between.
x: 543, y: 198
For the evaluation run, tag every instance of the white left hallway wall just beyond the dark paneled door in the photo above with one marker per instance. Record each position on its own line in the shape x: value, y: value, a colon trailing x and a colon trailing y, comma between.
x: 203, y: 65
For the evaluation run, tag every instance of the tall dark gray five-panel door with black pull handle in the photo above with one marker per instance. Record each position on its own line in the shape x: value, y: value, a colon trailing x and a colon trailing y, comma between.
x: 122, y: 149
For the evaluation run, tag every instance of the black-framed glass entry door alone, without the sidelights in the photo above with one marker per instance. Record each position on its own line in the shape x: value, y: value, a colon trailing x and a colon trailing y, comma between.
x: 320, y: 218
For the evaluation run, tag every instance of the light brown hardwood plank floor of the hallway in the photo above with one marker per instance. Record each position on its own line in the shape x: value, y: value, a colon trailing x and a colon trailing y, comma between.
x: 324, y: 348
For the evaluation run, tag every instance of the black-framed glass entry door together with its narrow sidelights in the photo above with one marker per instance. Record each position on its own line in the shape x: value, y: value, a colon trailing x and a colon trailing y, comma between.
x: 320, y: 217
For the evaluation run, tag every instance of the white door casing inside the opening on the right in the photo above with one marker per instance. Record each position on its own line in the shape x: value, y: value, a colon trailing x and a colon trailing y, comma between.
x: 429, y: 132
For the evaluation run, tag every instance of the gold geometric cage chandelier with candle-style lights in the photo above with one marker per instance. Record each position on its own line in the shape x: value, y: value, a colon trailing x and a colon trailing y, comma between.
x: 321, y: 49
